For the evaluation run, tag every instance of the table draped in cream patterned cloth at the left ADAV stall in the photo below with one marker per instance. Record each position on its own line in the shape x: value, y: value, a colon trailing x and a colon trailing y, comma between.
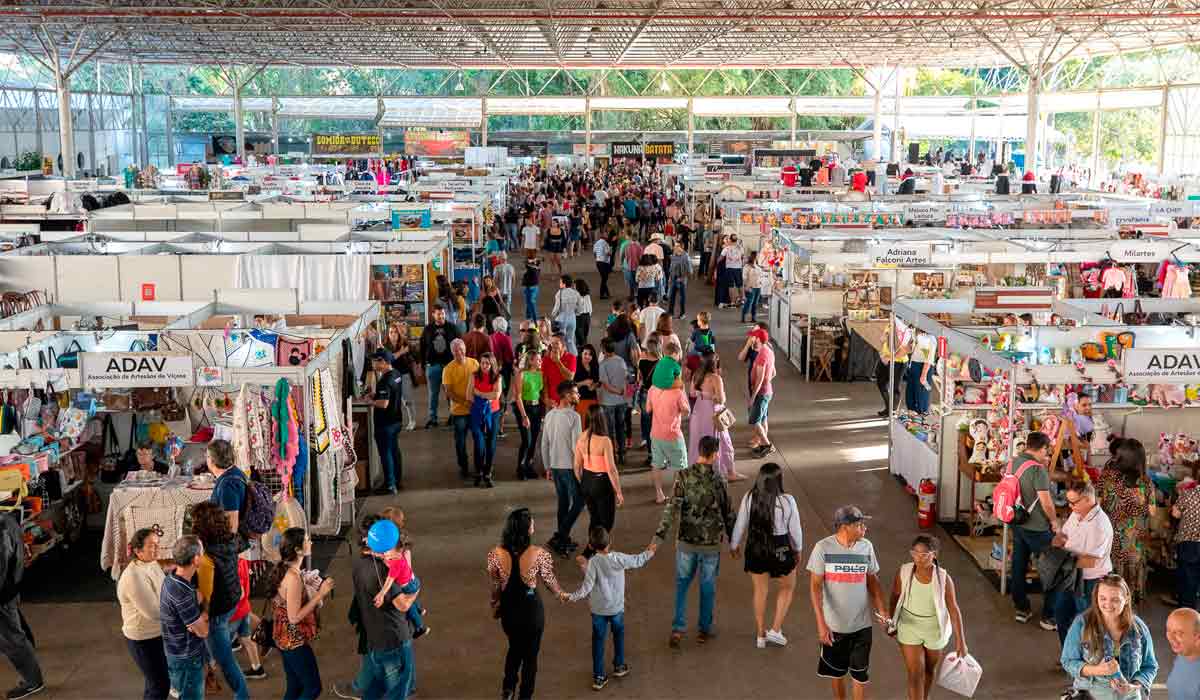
x: 170, y: 499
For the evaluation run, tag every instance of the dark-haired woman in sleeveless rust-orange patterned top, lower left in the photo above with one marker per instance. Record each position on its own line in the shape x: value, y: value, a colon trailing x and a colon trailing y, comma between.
x: 296, y: 617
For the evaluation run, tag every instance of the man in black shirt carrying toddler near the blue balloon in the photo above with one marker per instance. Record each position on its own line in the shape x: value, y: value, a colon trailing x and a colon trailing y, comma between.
x: 388, y: 665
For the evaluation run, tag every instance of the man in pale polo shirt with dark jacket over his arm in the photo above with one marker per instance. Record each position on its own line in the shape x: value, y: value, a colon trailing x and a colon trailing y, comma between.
x: 1088, y: 535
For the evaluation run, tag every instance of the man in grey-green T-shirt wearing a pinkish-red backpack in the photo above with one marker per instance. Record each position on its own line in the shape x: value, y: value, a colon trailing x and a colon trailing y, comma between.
x: 1035, y: 535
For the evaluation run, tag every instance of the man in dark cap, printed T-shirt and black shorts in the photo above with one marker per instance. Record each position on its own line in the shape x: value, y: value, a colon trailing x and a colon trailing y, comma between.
x: 844, y: 585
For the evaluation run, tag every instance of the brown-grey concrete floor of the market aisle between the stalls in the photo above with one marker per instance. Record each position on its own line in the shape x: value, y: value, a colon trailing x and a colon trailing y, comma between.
x: 835, y: 452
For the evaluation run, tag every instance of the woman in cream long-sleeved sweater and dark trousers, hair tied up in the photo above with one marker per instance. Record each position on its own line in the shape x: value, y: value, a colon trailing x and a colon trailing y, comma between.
x: 139, y: 595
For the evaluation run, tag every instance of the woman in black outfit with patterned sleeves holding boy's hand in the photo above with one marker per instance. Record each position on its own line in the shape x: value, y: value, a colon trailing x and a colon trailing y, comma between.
x: 515, y: 569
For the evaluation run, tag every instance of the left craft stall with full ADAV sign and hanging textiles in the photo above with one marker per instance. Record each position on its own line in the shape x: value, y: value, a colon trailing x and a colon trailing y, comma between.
x: 280, y: 396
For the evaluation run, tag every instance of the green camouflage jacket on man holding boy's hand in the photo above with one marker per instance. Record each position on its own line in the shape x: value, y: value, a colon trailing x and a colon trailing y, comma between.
x: 703, y: 505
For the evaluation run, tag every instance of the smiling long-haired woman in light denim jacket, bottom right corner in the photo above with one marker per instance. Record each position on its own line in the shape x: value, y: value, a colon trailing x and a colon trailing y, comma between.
x: 1109, y: 653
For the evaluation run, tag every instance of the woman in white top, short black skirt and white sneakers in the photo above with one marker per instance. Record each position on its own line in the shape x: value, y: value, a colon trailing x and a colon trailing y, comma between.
x: 770, y: 524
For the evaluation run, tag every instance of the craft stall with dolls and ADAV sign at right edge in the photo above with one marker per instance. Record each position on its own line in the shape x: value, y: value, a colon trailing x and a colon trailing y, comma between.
x: 995, y: 384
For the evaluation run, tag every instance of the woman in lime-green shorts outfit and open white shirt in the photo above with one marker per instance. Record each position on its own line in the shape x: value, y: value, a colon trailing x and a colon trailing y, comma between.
x: 926, y: 611
